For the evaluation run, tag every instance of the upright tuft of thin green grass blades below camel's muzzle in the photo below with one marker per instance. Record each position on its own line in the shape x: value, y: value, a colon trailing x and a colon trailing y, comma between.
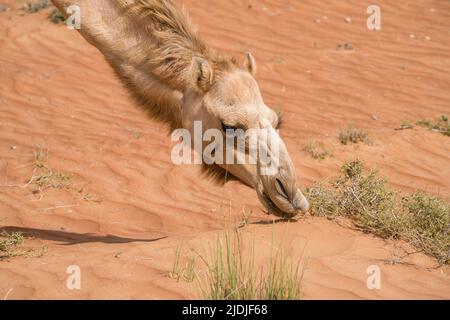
x: 231, y: 274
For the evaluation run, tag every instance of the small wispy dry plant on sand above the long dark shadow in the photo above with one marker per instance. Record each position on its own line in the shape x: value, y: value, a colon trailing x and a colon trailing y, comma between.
x: 43, y: 176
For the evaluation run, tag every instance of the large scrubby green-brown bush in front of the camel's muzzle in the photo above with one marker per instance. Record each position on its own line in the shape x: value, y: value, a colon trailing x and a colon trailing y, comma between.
x: 420, y: 219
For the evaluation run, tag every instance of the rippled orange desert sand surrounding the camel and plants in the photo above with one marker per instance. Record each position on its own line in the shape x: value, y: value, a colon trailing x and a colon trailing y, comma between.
x: 128, y: 207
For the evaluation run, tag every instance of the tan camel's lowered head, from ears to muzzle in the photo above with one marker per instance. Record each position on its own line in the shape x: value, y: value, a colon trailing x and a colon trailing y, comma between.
x: 226, y: 97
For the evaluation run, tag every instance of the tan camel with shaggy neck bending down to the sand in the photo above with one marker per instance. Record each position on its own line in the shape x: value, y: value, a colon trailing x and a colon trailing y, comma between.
x: 160, y: 58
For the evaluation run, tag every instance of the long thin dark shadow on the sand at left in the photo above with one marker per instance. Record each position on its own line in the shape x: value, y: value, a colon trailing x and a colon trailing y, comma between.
x: 71, y: 238
